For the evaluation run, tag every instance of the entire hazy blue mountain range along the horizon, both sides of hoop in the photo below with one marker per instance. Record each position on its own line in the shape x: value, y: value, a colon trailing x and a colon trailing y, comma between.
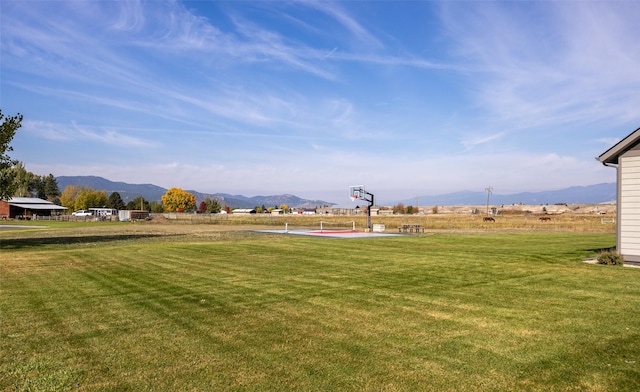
x: 591, y: 194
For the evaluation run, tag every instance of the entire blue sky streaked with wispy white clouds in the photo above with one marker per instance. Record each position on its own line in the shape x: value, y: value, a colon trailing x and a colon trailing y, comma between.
x: 308, y: 98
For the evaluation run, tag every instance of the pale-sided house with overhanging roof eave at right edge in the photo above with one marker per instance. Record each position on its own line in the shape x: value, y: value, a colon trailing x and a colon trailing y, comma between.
x: 625, y: 157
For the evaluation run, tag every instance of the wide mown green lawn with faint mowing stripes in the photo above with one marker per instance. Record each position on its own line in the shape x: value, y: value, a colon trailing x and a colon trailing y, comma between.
x: 148, y: 306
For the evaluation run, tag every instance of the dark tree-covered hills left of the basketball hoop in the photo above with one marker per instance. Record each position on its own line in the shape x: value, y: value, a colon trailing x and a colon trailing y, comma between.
x: 151, y: 192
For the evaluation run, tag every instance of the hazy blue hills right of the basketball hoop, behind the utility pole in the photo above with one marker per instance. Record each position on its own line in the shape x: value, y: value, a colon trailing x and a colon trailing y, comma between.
x: 591, y: 194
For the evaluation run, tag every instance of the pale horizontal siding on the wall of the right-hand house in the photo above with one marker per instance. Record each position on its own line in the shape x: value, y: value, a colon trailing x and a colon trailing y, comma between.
x: 629, y: 206
